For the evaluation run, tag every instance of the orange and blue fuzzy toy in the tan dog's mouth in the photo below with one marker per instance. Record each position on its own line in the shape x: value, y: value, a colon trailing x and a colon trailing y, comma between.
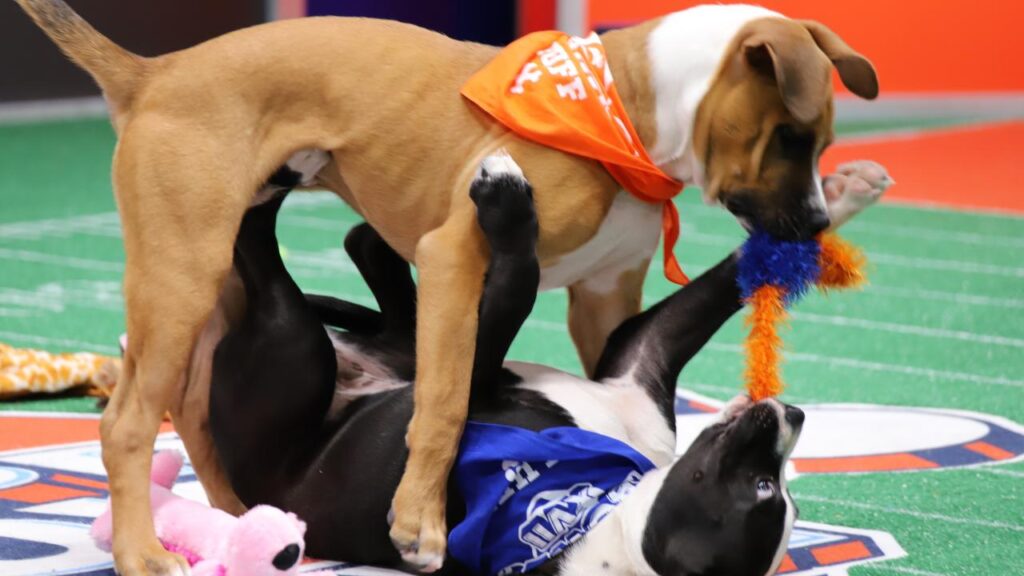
x: 774, y: 274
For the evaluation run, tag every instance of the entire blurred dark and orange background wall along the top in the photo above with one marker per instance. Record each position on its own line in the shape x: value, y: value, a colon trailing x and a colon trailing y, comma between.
x: 950, y: 57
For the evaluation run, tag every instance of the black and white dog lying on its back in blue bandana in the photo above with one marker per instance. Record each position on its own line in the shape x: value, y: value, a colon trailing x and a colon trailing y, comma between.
x: 314, y: 421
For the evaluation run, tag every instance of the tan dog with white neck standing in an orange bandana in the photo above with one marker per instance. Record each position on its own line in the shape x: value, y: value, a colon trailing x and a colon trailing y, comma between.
x: 735, y: 99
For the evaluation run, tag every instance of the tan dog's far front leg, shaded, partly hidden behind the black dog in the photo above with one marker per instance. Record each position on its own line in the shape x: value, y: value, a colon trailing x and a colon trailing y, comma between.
x: 594, y: 314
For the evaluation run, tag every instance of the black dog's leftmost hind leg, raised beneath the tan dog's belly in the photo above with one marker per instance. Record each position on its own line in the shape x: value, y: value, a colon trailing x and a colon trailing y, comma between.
x: 274, y: 374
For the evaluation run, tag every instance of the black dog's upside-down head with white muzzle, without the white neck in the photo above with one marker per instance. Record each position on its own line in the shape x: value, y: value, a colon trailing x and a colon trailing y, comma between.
x: 724, y: 507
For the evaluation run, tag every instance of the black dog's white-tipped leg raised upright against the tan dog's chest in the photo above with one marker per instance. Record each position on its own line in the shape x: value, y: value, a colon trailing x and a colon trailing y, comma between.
x: 505, y: 212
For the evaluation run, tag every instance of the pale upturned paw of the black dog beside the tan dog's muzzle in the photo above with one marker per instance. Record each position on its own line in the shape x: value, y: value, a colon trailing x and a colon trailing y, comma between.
x: 856, y: 186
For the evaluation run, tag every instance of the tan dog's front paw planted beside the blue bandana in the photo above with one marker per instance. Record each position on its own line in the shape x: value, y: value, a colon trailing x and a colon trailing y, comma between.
x: 419, y: 531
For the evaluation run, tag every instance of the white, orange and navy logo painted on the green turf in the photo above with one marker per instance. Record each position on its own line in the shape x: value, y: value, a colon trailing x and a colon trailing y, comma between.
x: 53, y: 483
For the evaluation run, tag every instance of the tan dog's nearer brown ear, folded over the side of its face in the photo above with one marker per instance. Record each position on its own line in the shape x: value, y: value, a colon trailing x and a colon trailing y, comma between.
x: 784, y: 52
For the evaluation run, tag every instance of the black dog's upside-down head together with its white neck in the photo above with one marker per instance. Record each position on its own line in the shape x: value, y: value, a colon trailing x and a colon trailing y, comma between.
x: 721, y: 510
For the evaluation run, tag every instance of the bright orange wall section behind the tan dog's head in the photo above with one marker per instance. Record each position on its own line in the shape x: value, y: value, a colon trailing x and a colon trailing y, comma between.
x: 966, y: 47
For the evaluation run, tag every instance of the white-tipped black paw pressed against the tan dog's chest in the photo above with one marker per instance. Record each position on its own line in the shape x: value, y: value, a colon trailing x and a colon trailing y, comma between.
x: 504, y: 203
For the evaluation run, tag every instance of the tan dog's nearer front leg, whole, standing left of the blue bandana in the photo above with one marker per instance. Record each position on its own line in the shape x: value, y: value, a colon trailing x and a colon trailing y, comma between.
x: 452, y: 262
